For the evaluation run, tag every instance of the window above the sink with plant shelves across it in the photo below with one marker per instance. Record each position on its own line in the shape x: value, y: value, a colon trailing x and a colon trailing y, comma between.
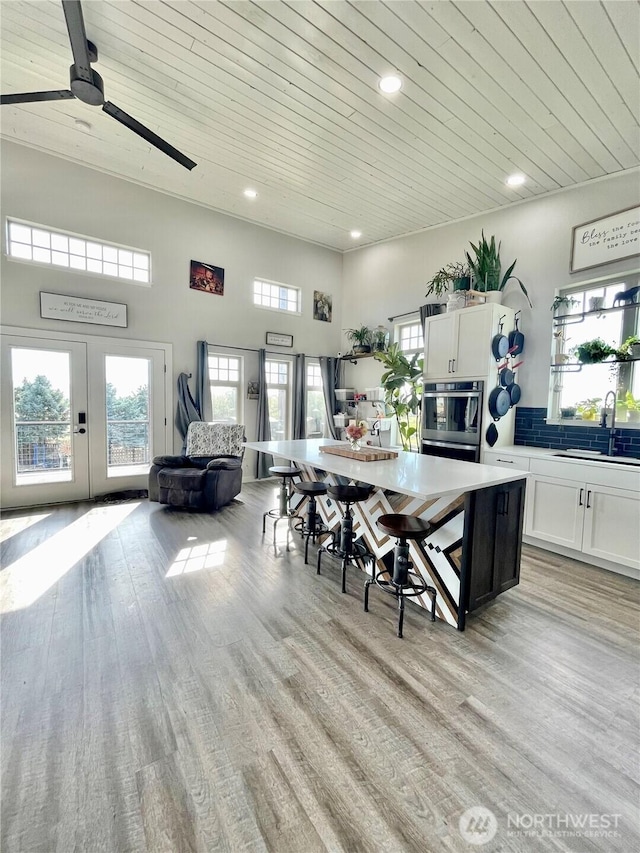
x: 578, y: 390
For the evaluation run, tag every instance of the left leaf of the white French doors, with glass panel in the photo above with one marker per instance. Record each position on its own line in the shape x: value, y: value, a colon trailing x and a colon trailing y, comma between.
x: 44, y: 421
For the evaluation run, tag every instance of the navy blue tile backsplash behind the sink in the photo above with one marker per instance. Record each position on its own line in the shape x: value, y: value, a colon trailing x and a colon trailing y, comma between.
x: 532, y: 430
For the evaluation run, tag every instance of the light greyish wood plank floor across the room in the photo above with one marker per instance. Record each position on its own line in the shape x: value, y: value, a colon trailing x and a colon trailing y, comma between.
x: 171, y: 684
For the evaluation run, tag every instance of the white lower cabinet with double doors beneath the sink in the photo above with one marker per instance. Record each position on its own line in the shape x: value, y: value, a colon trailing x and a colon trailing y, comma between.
x: 595, y: 519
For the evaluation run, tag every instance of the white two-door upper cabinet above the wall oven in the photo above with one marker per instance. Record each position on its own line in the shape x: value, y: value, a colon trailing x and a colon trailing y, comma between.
x: 458, y: 345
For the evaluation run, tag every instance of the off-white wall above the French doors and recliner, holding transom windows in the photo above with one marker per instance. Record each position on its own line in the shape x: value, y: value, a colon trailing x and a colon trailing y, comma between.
x: 56, y: 193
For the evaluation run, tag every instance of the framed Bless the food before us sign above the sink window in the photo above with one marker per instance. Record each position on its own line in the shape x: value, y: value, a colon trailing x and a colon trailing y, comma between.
x: 611, y: 238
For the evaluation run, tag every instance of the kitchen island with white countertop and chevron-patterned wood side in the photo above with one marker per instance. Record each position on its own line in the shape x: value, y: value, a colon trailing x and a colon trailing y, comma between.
x: 476, y: 511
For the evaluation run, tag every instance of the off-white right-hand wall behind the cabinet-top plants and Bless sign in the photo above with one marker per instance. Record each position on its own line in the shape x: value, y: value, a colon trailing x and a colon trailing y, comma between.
x: 390, y: 278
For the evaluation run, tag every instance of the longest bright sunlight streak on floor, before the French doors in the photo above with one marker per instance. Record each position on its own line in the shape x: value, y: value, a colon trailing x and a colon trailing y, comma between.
x: 23, y: 582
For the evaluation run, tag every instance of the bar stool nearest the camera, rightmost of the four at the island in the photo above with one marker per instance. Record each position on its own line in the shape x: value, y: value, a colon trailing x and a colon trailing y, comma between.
x: 404, y: 583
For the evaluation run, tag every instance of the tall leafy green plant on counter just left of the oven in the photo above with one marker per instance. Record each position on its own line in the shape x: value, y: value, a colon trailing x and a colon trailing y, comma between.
x: 402, y: 383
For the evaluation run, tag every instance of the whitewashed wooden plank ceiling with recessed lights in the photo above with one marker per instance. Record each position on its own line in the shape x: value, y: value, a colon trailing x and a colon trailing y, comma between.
x: 282, y: 97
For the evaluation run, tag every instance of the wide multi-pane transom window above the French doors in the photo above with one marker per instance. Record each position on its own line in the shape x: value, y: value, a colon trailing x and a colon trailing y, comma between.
x: 84, y: 254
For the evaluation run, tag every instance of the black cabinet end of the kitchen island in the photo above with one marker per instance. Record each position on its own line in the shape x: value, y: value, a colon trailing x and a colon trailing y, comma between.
x: 493, y: 541
